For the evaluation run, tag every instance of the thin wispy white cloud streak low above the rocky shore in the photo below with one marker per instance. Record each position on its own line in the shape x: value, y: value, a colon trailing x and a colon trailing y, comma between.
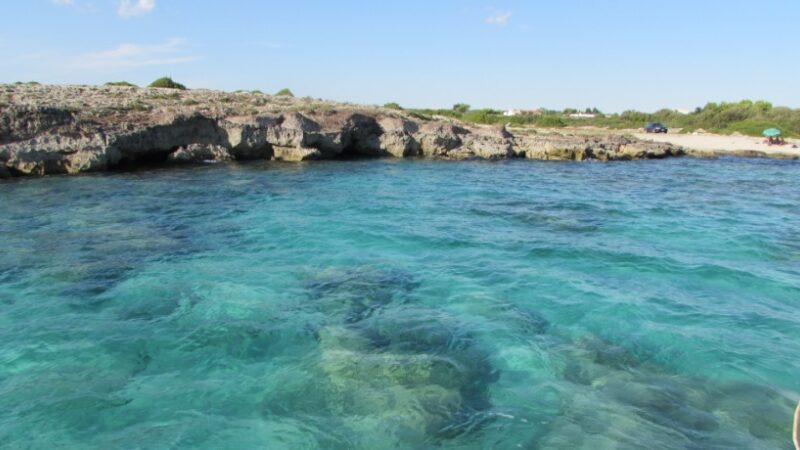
x: 137, y: 55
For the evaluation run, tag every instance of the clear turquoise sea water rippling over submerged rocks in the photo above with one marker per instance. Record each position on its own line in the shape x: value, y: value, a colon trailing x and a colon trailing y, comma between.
x: 403, y: 304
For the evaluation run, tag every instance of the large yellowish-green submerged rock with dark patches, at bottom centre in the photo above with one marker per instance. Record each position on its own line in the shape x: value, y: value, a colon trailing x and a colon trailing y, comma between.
x: 390, y: 365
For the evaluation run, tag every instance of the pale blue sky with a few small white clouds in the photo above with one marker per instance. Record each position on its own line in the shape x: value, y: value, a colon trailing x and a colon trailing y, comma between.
x: 610, y: 54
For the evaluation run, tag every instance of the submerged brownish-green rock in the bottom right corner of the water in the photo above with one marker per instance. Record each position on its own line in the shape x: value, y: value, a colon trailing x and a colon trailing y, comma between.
x: 655, y: 404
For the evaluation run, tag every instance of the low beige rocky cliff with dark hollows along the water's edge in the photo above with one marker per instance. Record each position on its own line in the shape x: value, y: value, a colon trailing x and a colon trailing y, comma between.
x: 75, y: 129
